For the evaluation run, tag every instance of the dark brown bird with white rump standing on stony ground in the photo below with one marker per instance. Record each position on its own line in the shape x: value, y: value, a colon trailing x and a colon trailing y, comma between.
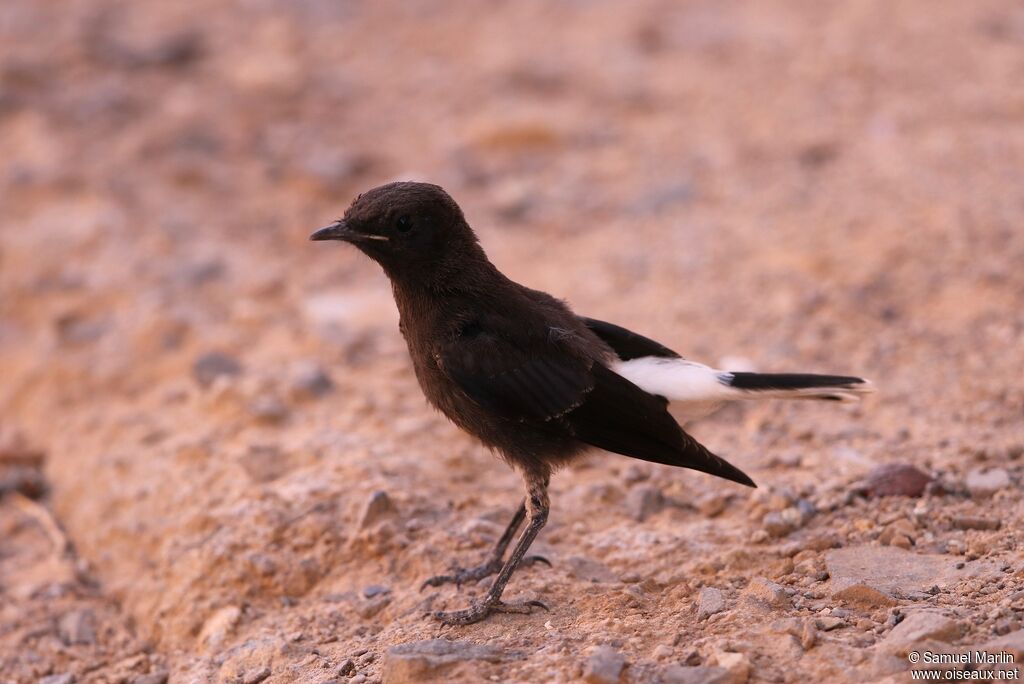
x: 536, y: 383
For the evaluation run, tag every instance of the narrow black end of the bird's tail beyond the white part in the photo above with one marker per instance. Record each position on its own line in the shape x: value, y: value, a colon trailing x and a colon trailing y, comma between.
x: 796, y: 387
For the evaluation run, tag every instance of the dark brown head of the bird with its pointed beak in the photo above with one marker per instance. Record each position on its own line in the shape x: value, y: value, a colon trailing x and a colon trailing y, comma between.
x: 414, y: 231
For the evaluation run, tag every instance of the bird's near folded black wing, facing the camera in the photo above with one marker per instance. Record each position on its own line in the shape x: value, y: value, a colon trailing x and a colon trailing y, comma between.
x: 552, y: 389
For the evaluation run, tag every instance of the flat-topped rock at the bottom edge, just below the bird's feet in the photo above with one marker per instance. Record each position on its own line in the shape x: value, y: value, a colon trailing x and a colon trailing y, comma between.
x: 437, y: 660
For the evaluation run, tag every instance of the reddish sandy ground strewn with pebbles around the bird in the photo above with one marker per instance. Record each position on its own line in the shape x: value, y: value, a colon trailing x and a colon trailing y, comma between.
x: 199, y: 408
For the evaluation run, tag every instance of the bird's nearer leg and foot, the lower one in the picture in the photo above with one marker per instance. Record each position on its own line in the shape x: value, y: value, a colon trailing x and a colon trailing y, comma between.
x: 537, y: 506
